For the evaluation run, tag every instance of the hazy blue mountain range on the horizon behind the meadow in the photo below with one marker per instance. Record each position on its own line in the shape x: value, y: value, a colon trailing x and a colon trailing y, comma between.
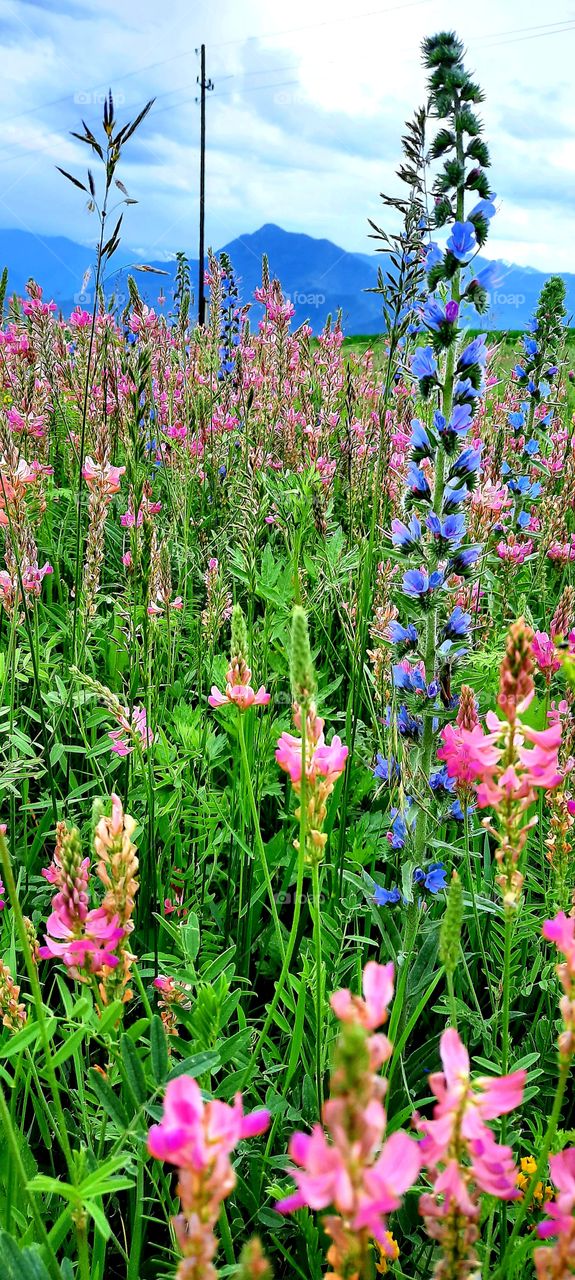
x: 318, y: 277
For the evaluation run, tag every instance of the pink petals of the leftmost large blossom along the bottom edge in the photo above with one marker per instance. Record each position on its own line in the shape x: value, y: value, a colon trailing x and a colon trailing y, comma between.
x: 193, y: 1133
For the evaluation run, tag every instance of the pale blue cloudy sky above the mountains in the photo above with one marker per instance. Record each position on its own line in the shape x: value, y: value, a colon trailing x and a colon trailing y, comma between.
x: 304, y: 122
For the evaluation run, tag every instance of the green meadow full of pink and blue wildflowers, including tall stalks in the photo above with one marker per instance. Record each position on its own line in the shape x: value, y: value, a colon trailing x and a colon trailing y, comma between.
x: 287, y: 668
